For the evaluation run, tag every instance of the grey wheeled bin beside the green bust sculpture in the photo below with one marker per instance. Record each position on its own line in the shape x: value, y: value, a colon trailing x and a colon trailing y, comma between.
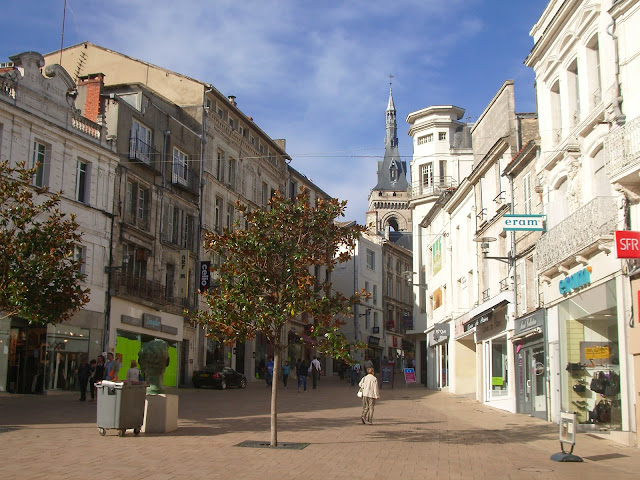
x: 121, y: 406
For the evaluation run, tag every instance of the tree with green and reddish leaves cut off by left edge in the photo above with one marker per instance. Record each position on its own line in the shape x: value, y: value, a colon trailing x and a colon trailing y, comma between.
x: 39, y: 276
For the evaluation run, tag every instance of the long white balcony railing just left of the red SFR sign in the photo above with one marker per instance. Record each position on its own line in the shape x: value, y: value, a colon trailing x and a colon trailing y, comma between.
x: 582, y: 228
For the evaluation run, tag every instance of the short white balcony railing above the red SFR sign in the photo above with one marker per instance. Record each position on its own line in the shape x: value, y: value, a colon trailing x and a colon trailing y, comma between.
x: 622, y: 151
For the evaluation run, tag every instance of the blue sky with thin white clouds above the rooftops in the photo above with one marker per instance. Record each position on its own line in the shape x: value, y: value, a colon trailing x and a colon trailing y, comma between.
x: 313, y: 72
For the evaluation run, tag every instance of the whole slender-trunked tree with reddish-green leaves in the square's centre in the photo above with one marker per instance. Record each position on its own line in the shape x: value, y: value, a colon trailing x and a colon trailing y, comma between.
x: 266, y: 278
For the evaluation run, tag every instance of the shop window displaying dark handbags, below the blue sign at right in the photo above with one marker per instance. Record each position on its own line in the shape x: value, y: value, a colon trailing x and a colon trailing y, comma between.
x: 591, y: 383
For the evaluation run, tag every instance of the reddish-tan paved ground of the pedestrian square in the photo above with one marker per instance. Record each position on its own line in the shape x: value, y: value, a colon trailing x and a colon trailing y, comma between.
x: 417, y: 434
